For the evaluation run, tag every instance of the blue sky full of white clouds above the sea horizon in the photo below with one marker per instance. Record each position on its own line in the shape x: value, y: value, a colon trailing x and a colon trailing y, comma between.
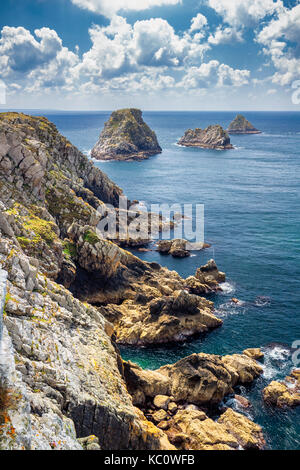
x: 151, y: 54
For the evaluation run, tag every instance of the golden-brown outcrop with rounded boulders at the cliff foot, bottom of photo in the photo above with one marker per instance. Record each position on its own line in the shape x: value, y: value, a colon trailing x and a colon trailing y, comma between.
x: 177, y: 398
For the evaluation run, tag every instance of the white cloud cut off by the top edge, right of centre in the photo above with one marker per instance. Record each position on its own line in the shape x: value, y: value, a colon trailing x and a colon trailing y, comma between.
x: 241, y: 13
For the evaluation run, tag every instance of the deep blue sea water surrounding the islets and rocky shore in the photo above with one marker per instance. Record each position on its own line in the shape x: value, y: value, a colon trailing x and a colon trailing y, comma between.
x: 252, y: 220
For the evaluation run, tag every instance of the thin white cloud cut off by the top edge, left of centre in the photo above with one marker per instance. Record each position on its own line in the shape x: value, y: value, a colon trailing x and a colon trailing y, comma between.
x: 111, y: 7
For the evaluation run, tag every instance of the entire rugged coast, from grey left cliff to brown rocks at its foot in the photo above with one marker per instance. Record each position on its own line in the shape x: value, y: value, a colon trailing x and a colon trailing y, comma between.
x: 72, y: 296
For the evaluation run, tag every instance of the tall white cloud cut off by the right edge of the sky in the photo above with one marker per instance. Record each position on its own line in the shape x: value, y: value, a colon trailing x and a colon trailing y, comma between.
x: 281, y: 41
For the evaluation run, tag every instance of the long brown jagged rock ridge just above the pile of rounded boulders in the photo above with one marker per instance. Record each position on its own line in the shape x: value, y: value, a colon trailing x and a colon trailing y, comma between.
x: 199, y: 379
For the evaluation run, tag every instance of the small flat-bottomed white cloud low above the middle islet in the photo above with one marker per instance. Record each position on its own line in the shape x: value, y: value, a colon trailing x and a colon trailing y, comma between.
x: 214, y: 74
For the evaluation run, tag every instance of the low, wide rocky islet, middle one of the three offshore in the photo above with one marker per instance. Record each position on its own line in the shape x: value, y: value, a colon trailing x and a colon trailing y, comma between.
x: 213, y: 137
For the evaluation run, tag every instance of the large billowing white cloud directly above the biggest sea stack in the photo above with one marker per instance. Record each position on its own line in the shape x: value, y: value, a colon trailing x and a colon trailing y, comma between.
x: 121, y: 48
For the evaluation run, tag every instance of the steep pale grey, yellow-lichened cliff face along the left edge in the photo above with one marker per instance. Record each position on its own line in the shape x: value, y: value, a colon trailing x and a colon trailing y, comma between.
x: 65, y: 369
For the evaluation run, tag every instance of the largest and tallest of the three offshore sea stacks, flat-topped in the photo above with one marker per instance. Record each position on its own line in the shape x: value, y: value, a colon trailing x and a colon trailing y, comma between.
x: 126, y: 137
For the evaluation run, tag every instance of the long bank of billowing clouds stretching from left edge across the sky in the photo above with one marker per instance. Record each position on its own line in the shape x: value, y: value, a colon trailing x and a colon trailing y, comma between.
x: 148, y: 56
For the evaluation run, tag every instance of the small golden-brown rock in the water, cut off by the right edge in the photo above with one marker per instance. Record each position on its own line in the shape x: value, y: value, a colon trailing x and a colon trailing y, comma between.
x: 285, y: 393
